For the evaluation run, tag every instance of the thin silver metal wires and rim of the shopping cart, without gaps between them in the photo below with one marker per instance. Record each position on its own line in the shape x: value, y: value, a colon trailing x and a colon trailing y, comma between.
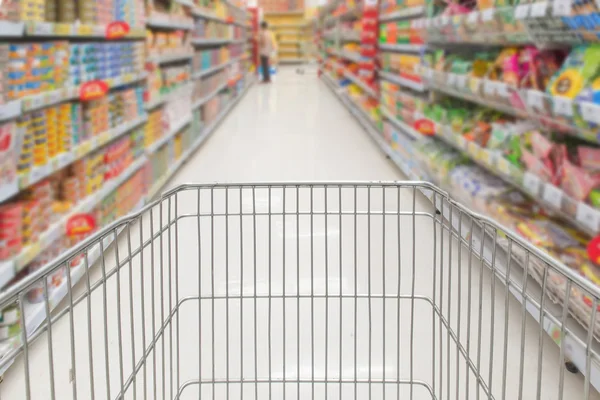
x: 450, y: 210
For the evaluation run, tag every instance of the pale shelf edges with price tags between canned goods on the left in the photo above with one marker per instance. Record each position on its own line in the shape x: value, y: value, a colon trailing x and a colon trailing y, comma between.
x: 237, y: 80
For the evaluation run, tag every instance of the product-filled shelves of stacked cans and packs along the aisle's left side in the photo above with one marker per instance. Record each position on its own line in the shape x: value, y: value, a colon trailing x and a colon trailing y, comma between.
x: 94, y: 121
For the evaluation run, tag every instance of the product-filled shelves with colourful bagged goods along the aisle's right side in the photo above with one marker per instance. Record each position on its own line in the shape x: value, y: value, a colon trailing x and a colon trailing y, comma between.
x: 498, y: 105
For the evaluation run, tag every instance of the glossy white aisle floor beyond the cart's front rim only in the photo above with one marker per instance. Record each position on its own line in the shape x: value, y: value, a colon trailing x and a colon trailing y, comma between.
x: 294, y: 129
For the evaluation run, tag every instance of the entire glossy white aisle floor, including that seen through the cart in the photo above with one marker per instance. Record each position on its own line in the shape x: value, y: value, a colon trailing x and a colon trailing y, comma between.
x: 293, y: 130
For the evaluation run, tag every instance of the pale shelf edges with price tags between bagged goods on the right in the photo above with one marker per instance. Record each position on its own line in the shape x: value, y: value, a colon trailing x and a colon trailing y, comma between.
x: 538, y: 23
